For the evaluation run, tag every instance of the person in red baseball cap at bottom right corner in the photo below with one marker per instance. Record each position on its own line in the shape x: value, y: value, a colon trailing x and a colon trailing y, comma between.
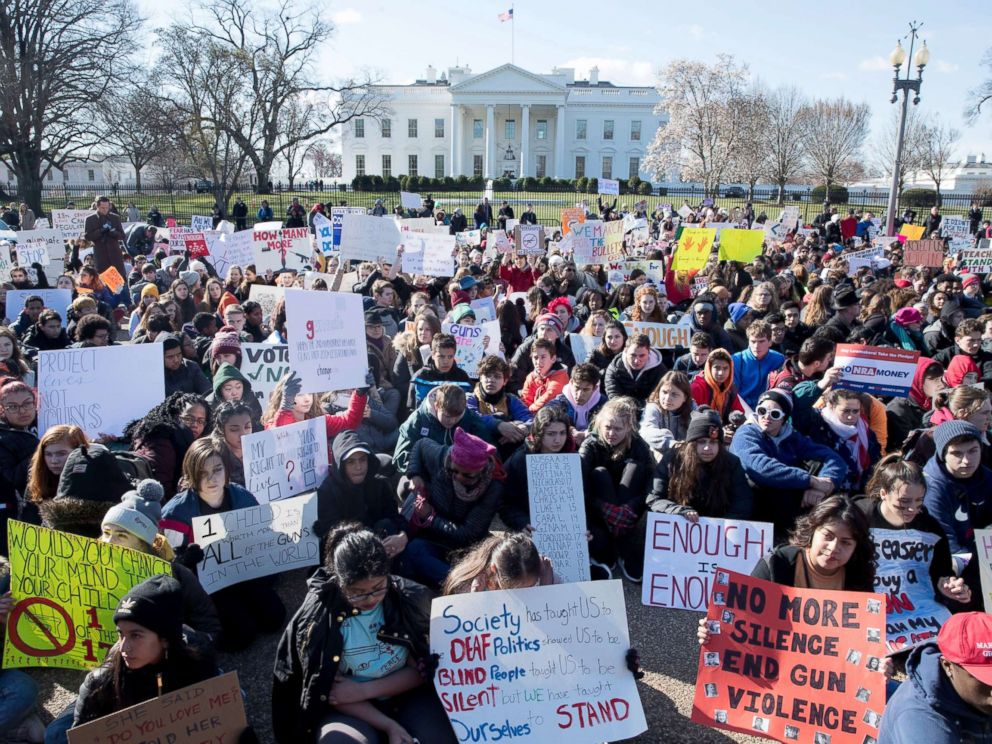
x: 947, y: 696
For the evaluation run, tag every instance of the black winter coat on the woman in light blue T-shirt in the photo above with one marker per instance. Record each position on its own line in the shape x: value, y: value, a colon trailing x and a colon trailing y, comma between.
x: 309, y: 651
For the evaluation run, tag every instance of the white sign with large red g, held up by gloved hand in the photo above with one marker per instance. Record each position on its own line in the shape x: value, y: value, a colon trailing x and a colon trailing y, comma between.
x: 326, y: 339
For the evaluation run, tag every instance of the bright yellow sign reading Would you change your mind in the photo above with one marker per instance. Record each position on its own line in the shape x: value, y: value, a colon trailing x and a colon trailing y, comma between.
x: 65, y: 589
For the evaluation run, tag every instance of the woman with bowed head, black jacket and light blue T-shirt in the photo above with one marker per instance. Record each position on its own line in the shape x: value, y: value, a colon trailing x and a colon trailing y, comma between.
x: 346, y: 668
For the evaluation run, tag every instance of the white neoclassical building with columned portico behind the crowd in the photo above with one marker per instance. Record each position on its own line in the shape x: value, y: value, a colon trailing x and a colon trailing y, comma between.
x: 505, y: 122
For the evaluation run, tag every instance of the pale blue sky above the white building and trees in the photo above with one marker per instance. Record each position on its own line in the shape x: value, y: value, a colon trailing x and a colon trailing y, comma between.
x: 795, y: 43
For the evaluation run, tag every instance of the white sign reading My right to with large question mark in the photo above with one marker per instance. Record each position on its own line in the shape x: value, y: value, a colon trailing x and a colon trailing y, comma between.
x: 285, y: 460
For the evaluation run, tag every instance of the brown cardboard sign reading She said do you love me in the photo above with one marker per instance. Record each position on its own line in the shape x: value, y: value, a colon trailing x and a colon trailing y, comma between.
x: 208, y: 711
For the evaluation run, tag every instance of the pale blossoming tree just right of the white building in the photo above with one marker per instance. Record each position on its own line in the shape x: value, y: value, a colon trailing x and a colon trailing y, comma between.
x: 702, y: 130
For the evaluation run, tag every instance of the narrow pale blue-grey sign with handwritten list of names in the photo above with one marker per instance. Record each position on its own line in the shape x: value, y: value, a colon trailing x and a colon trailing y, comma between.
x: 558, y: 513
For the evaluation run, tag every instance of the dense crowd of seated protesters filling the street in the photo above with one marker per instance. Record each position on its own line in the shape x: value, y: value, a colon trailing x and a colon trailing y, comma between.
x: 427, y: 492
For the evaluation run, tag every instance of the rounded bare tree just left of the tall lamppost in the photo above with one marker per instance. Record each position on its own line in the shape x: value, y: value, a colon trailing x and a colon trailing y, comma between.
x: 833, y: 133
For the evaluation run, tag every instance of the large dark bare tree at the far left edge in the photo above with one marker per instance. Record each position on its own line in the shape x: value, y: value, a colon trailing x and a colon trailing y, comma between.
x: 58, y: 58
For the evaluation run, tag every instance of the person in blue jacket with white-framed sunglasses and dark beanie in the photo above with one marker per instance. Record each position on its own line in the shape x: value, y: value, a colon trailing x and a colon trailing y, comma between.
x: 789, y: 472
